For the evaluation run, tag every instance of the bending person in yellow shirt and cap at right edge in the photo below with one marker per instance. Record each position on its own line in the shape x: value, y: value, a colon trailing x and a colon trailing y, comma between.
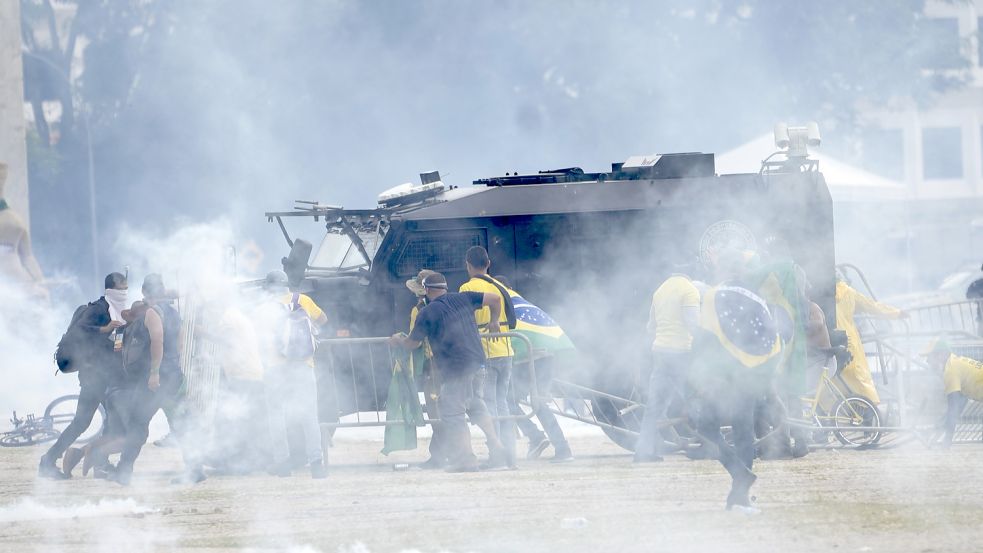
x: 963, y: 380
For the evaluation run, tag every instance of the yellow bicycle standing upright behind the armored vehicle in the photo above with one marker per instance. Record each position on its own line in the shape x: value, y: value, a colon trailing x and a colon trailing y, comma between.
x: 852, y: 420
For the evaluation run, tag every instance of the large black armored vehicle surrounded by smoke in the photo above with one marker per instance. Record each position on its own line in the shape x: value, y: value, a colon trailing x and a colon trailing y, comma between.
x: 587, y: 248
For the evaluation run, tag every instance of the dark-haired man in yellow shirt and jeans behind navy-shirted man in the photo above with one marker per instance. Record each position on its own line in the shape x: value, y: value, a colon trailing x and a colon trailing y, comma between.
x: 498, y: 351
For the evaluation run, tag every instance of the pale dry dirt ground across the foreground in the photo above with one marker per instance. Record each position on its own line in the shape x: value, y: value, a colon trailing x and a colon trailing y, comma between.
x: 898, y: 499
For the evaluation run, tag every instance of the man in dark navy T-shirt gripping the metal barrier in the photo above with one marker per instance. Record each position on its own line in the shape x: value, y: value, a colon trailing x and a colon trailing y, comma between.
x: 448, y: 323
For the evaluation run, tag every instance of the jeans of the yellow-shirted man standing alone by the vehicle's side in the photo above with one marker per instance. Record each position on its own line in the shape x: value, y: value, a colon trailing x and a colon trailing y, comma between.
x: 666, y: 383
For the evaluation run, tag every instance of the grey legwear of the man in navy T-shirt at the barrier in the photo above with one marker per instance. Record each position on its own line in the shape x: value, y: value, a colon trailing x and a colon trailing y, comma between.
x: 457, y: 397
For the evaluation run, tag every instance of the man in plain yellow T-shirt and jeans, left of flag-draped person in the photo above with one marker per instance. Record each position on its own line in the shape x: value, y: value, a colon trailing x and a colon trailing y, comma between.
x: 675, y: 313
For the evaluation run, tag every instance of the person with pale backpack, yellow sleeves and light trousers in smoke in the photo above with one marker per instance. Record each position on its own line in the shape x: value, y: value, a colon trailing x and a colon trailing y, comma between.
x: 292, y: 323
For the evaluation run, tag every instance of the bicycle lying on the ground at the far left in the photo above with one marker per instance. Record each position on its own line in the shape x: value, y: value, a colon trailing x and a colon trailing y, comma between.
x: 32, y: 430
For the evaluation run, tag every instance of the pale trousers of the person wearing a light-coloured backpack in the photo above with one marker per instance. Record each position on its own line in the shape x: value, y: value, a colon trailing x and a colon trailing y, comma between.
x: 291, y: 393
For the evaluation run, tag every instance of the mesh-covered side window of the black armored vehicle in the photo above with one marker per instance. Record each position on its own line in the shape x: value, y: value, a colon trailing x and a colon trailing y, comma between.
x: 440, y: 250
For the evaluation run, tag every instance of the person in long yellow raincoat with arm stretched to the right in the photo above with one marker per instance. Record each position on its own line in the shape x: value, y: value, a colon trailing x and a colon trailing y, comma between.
x: 849, y: 302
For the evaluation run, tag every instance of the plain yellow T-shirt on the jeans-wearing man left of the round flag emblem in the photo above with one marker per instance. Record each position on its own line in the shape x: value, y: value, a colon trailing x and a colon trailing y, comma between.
x: 666, y: 314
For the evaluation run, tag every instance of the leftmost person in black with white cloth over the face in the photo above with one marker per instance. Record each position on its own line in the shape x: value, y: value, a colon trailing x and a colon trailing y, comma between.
x: 99, y: 367
